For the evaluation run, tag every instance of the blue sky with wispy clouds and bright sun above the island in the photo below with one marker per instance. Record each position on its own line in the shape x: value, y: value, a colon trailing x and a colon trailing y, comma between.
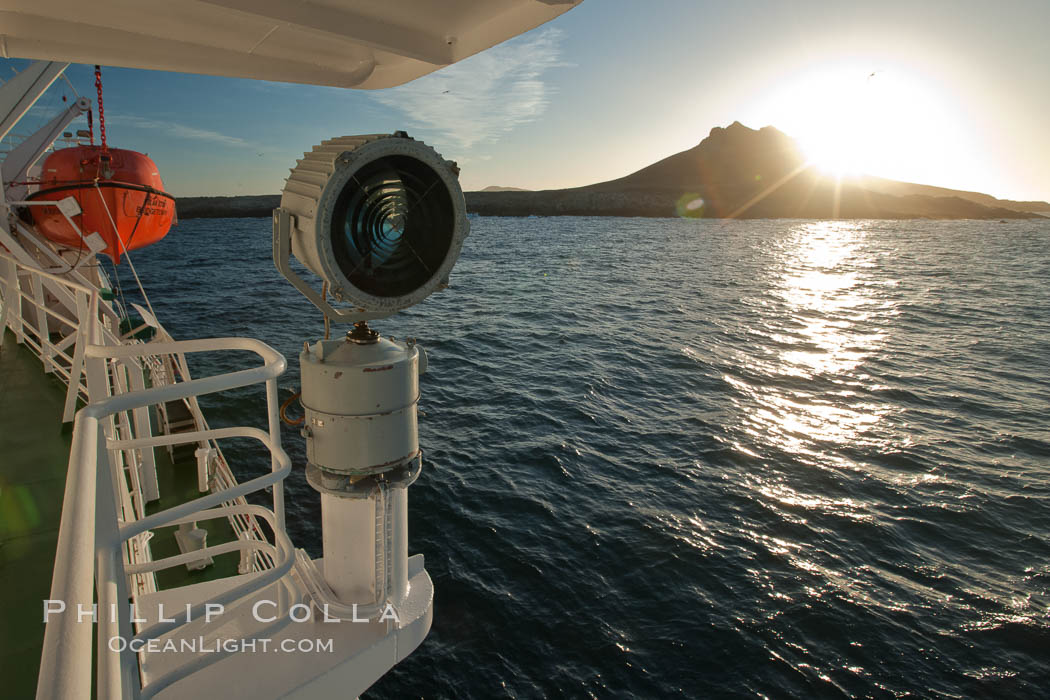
x: 947, y: 93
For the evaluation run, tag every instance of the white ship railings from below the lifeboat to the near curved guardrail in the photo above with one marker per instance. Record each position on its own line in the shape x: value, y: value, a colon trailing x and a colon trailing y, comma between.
x: 77, y: 336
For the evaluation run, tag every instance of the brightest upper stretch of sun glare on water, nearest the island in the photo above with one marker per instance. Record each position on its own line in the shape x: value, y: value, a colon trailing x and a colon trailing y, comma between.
x: 820, y: 333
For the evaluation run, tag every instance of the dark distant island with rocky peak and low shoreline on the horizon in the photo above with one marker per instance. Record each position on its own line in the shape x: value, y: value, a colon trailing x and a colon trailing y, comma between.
x: 736, y: 173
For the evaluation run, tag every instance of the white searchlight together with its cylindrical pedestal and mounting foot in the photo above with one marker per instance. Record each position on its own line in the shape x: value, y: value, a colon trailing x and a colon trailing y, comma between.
x: 382, y: 221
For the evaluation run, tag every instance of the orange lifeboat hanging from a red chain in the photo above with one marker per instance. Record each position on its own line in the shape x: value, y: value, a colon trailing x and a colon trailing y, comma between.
x: 120, y: 194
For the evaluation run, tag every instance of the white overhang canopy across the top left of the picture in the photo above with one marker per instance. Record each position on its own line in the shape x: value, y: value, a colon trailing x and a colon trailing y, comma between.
x: 345, y: 44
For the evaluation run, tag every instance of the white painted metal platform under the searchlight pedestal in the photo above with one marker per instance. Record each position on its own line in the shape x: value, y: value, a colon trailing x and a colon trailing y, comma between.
x: 361, y: 652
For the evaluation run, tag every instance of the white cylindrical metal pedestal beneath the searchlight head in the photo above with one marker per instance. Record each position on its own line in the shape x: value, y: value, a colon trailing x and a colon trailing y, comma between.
x: 363, y: 455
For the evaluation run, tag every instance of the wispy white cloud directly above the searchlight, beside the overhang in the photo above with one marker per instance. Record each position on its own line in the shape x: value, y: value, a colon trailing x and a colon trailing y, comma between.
x: 485, y: 97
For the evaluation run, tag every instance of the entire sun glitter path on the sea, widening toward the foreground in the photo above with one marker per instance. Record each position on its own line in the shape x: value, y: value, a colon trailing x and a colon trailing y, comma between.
x: 829, y: 506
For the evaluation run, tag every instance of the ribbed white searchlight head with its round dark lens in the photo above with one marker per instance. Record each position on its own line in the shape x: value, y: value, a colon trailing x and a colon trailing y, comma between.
x: 381, y: 219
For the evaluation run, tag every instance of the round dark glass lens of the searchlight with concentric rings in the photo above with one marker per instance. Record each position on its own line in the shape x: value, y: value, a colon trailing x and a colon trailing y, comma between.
x: 392, y: 226
